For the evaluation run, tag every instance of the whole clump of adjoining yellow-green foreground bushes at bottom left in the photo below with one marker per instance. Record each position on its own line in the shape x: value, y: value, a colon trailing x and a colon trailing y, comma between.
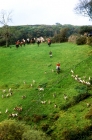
x: 15, y: 130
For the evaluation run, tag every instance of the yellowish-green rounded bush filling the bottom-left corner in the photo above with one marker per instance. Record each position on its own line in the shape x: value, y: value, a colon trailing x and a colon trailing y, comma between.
x: 11, y: 130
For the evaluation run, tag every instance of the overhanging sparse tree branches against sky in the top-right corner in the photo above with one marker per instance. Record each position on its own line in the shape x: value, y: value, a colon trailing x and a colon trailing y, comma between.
x: 84, y: 7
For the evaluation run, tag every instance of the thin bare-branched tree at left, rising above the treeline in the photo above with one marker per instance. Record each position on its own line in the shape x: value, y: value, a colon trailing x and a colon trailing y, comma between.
x: 5, y: 18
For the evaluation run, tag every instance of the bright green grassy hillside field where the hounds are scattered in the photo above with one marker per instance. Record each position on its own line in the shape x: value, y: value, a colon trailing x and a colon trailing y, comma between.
x: 58, y: 117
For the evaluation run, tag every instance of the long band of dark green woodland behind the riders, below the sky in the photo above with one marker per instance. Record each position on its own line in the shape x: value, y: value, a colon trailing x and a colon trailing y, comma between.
x: 11, y: 34
